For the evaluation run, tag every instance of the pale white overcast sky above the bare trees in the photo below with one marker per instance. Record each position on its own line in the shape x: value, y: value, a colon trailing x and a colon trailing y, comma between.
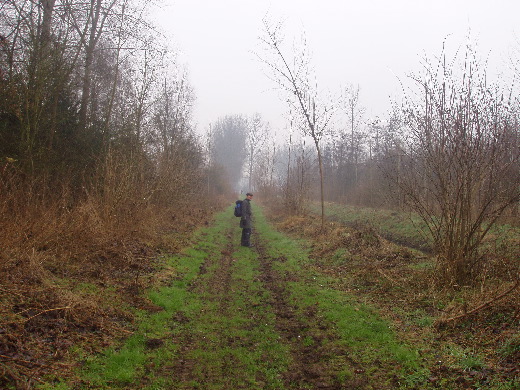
x: 370, y: 43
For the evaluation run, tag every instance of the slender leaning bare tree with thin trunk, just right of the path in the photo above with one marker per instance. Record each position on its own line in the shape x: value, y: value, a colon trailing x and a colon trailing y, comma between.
x: 294, y: 77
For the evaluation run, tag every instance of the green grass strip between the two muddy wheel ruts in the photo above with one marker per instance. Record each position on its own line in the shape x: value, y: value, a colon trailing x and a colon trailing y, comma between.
x: 238, y: 346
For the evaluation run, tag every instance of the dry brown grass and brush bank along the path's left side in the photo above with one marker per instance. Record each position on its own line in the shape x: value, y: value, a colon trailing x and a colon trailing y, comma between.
x: 72, y: 270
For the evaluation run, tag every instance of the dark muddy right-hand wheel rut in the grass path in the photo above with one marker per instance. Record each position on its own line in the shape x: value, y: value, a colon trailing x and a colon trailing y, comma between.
x: 316, y: 356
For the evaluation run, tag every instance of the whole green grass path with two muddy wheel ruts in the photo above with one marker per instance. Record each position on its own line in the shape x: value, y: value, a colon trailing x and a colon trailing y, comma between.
x: 253, y: 318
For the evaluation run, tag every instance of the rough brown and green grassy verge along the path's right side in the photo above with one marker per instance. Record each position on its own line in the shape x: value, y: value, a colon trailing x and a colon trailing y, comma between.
x: 473, y: 352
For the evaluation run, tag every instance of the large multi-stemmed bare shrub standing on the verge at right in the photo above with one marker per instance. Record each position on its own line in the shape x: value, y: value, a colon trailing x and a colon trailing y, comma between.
x: 460, y: 169
